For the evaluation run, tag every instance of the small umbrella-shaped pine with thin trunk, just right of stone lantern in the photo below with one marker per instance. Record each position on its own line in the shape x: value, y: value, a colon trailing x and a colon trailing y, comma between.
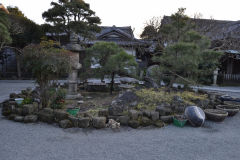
x: 112, y: 60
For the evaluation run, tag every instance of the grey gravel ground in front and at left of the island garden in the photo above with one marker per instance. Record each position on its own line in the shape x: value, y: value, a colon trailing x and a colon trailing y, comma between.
x: 215, y: 141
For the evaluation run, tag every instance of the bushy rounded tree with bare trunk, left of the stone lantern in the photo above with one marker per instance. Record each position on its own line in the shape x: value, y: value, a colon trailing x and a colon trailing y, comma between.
x: 46, y: 63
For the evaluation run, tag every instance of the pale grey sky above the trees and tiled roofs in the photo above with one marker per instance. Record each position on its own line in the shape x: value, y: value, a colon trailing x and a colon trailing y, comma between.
x: 136, y: 12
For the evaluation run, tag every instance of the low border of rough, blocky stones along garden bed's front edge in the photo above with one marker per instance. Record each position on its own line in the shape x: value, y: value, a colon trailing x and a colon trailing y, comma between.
x: 112, y: 117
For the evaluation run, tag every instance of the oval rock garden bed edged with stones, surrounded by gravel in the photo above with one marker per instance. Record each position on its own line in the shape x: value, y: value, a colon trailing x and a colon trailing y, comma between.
x: 136, y: 108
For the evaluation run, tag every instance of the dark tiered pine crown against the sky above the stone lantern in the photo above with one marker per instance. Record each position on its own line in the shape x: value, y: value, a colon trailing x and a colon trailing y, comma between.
x: 68, y: 16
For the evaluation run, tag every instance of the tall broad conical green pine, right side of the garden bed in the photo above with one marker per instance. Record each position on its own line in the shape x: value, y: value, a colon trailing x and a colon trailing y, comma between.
x: 187, y: 55
